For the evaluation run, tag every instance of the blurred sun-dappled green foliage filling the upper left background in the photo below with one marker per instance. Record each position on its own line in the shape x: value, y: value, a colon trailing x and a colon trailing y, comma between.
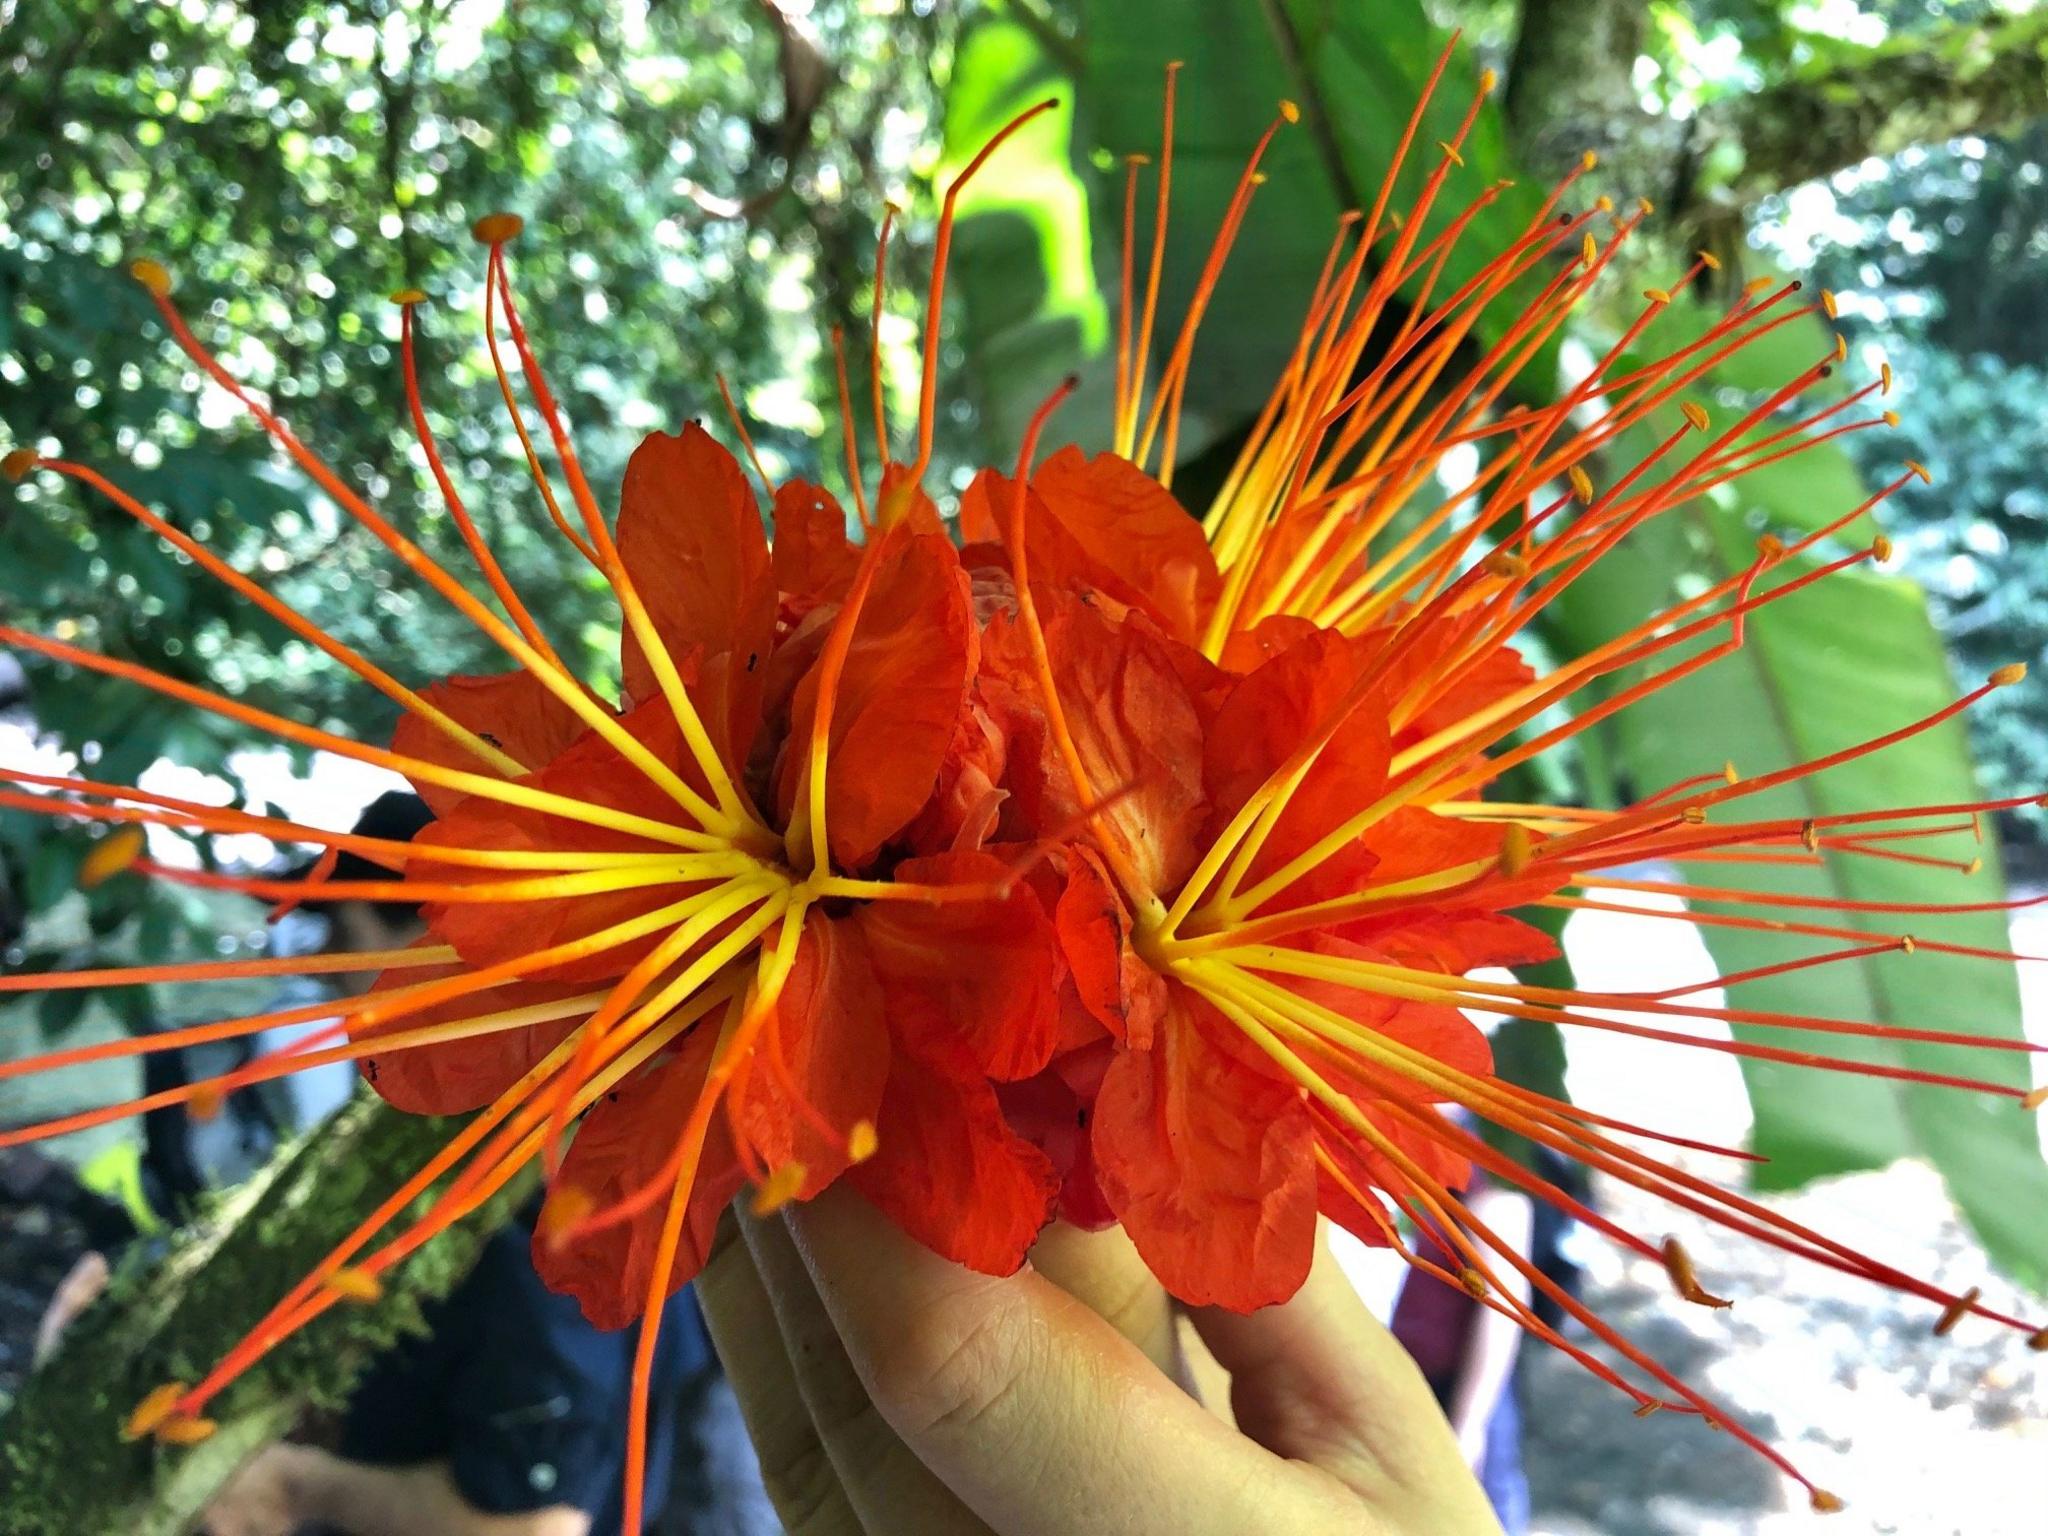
x: 294, y: 163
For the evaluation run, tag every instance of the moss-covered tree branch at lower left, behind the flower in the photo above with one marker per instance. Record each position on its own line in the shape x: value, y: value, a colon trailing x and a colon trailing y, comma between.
x: 169, y: 1316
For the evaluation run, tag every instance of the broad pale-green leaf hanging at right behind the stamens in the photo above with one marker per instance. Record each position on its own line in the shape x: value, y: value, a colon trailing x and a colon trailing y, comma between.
x: 1840, y: 663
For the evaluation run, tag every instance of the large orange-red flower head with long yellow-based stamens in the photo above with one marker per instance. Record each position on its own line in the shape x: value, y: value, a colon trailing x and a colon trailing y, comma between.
x: 1066, y: 851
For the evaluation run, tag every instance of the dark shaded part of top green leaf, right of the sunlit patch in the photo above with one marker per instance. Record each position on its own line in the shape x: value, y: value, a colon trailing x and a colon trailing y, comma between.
x: 1355, y: 73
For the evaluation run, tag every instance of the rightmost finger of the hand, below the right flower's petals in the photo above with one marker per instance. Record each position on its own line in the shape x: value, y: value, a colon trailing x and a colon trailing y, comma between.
x: 1322, y: 1381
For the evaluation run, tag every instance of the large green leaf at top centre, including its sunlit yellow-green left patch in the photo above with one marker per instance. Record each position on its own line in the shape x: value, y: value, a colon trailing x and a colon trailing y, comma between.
x: 1353, y: 71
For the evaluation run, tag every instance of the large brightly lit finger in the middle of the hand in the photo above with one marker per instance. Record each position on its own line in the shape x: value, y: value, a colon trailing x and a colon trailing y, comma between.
x: 1041, y: 1416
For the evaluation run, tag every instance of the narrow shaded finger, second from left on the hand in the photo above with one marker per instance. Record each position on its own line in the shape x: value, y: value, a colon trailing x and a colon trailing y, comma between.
x: 882, y: 1478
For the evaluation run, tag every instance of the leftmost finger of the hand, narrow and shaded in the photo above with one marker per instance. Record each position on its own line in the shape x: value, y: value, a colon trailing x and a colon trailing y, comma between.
x: 796, y: 1469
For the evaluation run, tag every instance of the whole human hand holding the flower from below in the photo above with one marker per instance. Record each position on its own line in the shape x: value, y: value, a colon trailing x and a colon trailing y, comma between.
x: 892, y: 1392
